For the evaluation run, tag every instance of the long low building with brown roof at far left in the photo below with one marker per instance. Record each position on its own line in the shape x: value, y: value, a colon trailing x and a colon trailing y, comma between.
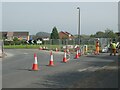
x: 9, y: 36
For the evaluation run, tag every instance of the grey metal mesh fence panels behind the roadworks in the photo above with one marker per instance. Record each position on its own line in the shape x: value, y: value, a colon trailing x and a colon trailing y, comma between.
x: 85, y: 41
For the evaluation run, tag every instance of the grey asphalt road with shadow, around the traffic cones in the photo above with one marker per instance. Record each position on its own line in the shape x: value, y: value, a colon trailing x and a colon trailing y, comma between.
x: 16, y: 70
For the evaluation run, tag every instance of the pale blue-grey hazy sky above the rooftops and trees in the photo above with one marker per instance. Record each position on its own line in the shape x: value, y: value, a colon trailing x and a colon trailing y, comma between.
x: 43, y: 16
